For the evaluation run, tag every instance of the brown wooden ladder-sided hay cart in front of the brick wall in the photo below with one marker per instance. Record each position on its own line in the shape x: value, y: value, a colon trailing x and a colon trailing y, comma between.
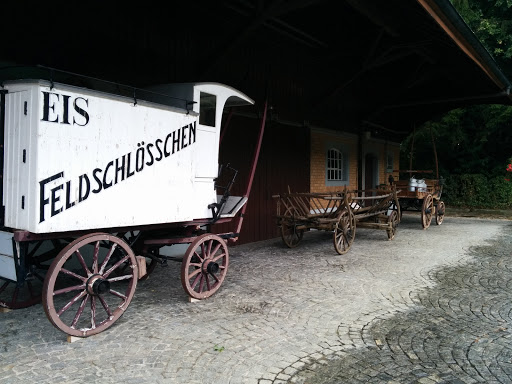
x: 338, y: 212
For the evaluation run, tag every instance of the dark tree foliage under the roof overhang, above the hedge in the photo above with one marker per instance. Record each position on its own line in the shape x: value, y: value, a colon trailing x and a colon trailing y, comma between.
x: 476, y: 139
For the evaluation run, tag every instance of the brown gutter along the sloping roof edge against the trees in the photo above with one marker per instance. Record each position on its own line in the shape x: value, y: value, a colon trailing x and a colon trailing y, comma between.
x: 445, y: 14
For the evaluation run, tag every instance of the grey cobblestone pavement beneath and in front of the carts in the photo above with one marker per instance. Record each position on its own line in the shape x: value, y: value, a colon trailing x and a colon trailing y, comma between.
x: 431, y: 306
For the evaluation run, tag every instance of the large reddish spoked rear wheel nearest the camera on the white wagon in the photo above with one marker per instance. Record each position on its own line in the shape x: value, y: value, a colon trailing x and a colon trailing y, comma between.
x: 83, y: 293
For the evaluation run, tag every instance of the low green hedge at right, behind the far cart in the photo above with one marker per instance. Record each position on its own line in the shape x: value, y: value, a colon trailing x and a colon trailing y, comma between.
x: 478, y: 191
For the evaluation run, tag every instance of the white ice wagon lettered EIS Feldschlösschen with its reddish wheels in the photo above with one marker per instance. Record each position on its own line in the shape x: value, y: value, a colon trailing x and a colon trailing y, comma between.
x: 95, y: 184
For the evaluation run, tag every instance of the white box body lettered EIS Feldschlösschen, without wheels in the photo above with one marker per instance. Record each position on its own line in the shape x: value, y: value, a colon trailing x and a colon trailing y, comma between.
x: 76, y: 159
